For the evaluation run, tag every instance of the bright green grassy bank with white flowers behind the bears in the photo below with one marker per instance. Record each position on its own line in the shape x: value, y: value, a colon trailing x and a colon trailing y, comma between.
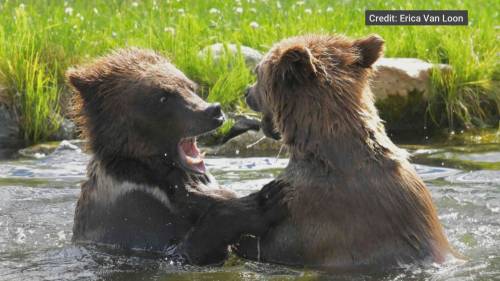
x: 40, y: 39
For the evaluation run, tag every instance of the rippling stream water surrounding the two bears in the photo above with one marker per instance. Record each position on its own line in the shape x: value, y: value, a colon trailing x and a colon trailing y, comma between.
x: 37, y: 200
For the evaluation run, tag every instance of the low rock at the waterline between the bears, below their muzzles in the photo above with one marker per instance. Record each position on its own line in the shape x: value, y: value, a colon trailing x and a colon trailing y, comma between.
x: 250, y: 143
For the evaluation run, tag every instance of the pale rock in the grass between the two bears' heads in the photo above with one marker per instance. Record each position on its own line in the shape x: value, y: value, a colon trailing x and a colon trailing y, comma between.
x: 252, y: 56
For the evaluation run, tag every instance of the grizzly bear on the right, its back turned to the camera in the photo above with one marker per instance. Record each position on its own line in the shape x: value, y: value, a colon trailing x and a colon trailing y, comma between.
x: 353, y: 199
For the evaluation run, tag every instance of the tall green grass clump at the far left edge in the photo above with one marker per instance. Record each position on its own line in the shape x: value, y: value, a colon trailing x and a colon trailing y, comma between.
x: 31, y: 83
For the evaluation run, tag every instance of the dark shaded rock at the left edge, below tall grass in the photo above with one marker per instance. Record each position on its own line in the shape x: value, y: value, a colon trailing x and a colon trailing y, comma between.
x: 10, y: 140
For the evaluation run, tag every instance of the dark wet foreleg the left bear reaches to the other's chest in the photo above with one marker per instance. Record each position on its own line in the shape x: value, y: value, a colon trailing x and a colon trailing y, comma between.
x: 207, y: 242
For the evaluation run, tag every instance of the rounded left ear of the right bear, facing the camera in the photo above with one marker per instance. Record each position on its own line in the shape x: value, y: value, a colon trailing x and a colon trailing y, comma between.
x: 296, y: 65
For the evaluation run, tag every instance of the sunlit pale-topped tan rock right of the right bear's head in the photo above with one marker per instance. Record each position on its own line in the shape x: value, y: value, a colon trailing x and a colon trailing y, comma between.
x: 400, y: 76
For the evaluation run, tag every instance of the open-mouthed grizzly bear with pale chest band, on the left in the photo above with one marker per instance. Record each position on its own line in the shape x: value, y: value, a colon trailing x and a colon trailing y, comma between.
x: 147, y: 184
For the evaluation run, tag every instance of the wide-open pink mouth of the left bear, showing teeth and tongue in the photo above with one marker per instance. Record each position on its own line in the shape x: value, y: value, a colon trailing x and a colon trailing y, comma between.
x: 190, y: 156
